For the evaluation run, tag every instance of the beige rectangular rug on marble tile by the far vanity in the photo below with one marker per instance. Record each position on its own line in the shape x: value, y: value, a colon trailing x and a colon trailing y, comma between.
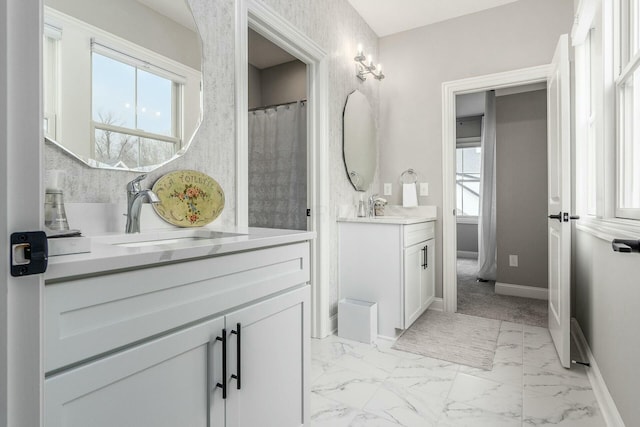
x: 457, y: 338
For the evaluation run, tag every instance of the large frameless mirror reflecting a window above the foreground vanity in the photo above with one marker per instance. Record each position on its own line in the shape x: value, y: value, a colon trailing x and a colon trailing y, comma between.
x: 122, y: 81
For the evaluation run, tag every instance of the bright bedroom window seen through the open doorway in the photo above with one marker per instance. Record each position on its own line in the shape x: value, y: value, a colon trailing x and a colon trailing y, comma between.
x: 468, y: 160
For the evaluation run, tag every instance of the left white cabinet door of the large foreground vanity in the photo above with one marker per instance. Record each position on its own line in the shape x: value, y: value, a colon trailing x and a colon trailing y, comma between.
x: 170, y: 381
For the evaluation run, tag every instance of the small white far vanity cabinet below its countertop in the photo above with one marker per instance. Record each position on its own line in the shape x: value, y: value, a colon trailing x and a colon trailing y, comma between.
x: 392, y: 264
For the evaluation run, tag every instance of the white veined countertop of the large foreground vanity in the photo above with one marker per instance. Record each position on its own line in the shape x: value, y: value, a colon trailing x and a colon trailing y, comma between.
x: 116, y: 251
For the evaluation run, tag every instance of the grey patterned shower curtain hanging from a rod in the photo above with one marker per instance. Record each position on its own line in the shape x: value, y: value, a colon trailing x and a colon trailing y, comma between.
x: 278, y: 167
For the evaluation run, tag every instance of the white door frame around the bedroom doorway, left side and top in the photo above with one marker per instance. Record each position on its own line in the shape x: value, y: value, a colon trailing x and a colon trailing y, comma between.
x: 450, y: 89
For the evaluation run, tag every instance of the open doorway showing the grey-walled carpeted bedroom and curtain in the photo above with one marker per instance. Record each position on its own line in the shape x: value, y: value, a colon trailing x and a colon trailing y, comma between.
x: 501, y: 203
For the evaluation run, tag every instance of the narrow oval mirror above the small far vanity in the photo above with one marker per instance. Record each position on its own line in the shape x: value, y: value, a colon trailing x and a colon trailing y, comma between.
x: 360, y: 141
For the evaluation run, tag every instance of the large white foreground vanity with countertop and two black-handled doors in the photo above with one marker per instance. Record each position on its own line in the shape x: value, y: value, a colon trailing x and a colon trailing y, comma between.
x: 186, y: 327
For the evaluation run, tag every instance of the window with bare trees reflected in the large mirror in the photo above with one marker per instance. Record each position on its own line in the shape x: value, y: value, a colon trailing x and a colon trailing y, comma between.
x: 135, y: 110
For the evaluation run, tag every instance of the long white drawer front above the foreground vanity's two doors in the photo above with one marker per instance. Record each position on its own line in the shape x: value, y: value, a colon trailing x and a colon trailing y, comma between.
x: 87, y: 317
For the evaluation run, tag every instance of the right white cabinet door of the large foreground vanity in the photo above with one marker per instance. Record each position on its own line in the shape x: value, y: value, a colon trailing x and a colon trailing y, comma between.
x: 272, y: 388
